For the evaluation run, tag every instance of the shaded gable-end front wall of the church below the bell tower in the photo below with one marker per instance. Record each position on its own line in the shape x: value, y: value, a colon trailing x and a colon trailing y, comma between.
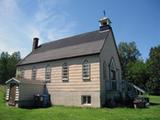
x: 108, y: 52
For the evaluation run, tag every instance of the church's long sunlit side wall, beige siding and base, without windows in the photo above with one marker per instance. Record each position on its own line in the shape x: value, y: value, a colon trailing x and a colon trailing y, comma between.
x: 62, y: 93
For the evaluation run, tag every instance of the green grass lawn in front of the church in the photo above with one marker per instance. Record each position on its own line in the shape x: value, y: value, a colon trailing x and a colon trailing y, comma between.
x: 74, y: 113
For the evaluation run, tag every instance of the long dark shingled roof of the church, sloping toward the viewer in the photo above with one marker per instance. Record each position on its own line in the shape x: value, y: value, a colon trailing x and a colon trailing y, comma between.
x: 79, y: 45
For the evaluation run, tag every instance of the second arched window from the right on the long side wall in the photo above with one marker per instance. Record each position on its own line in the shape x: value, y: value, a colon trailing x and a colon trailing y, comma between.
x: 65, y: 72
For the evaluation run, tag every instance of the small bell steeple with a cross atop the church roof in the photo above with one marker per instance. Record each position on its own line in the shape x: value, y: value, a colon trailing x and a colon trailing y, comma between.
x: 105, y: 23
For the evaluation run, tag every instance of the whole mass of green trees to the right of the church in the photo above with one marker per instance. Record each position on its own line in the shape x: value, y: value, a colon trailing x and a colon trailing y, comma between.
x: 144, y: 74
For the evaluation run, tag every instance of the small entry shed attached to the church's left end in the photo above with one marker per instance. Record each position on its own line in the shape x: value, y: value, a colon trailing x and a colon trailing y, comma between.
x: 20, y: 92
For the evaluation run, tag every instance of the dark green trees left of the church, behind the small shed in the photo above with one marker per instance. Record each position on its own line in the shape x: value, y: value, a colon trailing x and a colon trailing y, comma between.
x: 8, y: 65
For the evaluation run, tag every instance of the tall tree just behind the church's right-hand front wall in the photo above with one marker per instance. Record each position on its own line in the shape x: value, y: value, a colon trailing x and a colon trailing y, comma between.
x: 128, y: 54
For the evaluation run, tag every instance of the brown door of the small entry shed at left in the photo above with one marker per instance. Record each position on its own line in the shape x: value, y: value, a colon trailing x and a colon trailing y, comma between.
x: 12, y: 94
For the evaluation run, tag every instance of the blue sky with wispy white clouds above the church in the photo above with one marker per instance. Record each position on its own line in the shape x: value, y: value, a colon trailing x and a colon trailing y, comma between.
x: 132, y: 20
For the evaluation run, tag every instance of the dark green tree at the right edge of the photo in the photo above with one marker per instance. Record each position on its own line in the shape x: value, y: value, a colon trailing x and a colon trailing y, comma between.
x: 154, y: 70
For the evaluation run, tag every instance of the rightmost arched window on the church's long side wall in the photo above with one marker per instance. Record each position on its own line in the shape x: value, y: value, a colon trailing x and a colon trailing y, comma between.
x: 86, y: 70
